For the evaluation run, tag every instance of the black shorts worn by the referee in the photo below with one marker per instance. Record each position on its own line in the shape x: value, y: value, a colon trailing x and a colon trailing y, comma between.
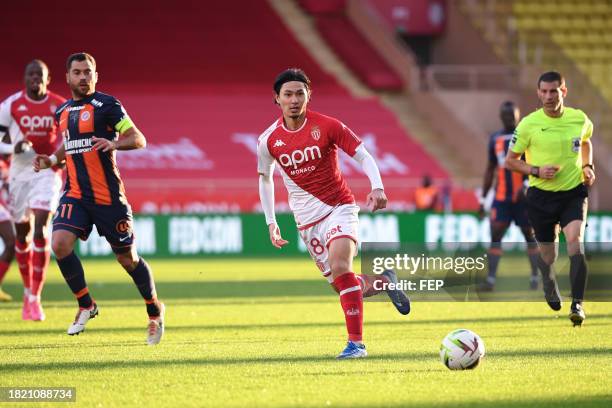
x: 549, y: 209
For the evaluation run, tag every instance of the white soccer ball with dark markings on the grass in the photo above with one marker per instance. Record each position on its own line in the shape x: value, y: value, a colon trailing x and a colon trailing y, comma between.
x: 461, y: 350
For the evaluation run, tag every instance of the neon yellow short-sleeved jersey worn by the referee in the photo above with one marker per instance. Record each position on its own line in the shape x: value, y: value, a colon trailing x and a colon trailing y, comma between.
x: 553, y: 141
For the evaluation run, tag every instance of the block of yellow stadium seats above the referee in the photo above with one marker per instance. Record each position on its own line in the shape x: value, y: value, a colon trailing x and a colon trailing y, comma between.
x: 574, y: 33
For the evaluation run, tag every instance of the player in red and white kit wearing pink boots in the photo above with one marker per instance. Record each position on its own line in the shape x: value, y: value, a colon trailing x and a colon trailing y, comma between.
x: 26, y: 119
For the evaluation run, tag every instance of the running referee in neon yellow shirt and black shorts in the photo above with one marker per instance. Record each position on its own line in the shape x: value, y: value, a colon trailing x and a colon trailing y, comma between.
x: 559, y: 161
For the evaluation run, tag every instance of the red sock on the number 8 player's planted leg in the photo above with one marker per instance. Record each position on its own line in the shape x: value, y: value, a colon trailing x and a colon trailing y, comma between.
x: 352, y: 304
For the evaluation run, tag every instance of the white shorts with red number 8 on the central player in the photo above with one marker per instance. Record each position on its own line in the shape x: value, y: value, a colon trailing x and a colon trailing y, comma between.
x: 342, y: 222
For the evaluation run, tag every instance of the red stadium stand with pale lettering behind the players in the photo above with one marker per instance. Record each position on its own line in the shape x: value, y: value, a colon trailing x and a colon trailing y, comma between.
x: 196, y: 78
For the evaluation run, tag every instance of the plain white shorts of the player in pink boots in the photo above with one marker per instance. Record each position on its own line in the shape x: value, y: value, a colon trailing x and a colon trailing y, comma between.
x: 41, y: 192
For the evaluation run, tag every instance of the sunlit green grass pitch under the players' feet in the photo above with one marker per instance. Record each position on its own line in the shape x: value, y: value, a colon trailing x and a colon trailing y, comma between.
x: 264, y: 333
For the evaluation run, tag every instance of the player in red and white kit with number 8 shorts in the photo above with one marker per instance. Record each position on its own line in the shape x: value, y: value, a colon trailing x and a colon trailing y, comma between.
x: 305, y: 145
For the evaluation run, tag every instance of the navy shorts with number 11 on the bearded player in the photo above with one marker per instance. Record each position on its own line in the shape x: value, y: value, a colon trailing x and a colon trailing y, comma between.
x: 113, y: 222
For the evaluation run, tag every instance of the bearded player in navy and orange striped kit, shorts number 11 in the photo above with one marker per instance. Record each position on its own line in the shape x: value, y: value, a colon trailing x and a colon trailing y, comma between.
x: 94, y: 194
